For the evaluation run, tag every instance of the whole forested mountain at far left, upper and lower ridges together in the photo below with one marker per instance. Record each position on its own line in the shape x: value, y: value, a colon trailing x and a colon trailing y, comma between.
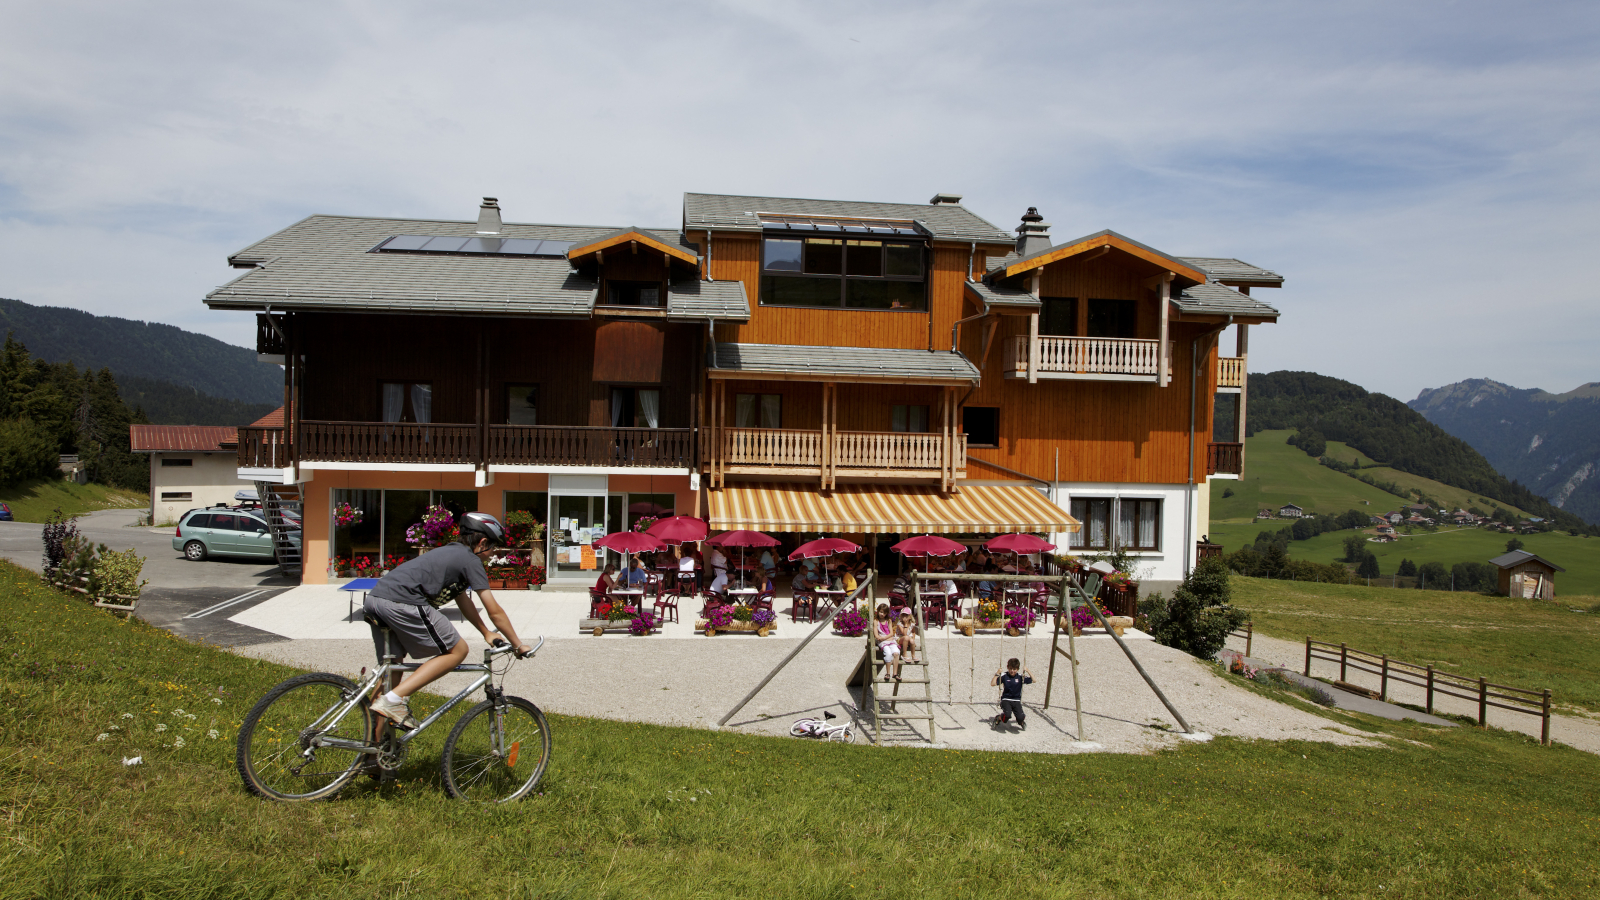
x: 177, y: 377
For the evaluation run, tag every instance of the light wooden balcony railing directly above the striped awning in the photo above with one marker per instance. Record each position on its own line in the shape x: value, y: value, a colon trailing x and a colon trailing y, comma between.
x: 855, y: 454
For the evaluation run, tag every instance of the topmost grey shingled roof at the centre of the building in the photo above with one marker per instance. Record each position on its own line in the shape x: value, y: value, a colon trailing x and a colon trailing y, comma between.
x: 727, y: 212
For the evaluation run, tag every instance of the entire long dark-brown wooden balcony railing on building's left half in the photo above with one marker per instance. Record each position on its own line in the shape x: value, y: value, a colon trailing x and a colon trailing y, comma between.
x: 458, y: 444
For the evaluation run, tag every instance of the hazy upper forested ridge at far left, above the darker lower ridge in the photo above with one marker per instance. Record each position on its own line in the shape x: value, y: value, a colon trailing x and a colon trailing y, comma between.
x: 143, y: 350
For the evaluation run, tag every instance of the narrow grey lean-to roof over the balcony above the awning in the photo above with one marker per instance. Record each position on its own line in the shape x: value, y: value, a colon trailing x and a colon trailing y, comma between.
x: 890, y: 364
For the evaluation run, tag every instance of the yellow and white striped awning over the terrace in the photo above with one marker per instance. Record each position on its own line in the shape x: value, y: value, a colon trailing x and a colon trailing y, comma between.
x: 769, y: 507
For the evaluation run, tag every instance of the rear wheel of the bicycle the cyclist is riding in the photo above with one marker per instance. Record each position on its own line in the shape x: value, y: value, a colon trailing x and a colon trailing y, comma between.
x: 276, y: 750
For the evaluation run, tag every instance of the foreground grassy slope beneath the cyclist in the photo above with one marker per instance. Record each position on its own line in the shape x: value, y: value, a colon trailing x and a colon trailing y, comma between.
x: 777, y: 818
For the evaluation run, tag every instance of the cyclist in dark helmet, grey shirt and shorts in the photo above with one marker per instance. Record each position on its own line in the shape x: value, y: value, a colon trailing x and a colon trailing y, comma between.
x: 409, y: 600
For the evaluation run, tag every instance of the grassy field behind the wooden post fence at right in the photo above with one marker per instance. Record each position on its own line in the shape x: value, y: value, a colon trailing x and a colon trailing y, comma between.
x: 1521, y: 643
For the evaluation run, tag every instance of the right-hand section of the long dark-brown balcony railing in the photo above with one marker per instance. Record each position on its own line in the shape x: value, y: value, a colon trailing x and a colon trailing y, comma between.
x: 582, y: 446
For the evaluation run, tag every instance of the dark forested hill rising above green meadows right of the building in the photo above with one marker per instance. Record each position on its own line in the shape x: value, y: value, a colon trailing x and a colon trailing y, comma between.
x: 1386, y: 430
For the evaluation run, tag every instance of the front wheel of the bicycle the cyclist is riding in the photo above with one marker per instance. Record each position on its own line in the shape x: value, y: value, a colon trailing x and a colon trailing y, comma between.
x: 484, y: 766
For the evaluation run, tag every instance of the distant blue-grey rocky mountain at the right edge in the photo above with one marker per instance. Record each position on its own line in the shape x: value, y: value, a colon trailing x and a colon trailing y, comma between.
x: 1550, y: 443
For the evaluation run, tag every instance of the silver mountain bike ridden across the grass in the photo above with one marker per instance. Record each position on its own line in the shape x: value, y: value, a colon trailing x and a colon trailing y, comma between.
x: 313, y: 734
